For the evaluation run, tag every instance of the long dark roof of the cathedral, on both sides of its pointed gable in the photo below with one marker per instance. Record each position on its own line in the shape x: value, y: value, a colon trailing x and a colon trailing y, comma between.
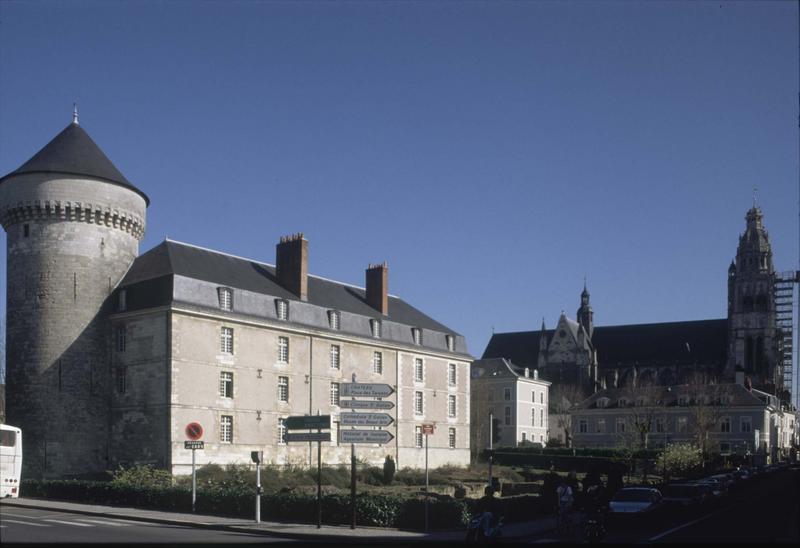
x: 674, y: 343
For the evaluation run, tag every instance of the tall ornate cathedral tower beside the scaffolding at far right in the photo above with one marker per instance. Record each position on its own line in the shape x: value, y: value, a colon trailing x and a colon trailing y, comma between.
x: 751, y: 308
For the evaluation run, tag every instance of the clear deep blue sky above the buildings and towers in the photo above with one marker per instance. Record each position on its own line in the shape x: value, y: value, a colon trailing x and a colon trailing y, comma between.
x: 493, y: 153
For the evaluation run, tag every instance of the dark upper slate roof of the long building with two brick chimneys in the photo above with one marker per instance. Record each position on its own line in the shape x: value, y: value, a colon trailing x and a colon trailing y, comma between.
x: 171, y: 257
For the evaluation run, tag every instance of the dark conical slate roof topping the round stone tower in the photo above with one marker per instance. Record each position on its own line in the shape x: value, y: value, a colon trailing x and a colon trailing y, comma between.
x: 73, y: 152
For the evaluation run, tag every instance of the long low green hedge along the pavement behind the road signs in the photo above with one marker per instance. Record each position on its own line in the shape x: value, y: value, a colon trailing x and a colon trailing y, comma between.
x: 371, y: 509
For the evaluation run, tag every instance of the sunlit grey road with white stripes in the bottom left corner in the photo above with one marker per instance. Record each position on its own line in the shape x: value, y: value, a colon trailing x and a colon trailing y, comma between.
x: 46, y: 527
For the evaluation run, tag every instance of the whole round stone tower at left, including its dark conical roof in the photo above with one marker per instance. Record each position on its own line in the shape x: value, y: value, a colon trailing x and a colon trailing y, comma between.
x: 73, y: 223
